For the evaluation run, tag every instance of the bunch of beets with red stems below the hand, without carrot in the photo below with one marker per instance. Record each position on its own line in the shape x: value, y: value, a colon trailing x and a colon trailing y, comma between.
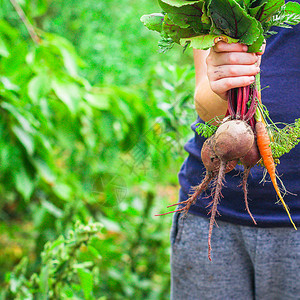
x: 234, y: 141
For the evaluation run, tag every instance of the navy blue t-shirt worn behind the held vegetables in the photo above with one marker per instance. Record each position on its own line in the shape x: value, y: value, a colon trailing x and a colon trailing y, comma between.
x: 280, y: 70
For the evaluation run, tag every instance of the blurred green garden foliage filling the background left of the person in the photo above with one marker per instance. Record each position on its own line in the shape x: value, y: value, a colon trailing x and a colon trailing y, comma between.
x: 92, y: 126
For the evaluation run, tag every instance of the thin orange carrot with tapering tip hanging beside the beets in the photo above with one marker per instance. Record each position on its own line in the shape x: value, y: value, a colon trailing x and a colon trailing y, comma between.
x: 263, y: 143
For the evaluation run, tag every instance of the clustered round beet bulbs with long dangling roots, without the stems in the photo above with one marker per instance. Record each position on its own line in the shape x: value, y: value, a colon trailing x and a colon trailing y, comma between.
x: 233, y: 140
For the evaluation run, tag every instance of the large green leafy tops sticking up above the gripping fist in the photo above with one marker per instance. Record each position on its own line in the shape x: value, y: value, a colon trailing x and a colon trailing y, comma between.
x: 201, y: 23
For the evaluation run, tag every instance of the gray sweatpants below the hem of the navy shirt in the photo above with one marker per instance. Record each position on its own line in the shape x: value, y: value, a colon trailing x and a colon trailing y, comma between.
x: 247, y: 262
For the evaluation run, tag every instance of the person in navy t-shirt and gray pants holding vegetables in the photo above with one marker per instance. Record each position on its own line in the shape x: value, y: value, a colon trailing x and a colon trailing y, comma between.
x: 248, y: 261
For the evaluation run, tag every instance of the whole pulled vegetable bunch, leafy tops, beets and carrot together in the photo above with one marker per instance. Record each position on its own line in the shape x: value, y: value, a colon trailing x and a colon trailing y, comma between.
x: 244, y: 135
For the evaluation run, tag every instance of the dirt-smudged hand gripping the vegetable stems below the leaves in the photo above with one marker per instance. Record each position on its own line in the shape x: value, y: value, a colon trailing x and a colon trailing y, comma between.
x: 230, y: 66
